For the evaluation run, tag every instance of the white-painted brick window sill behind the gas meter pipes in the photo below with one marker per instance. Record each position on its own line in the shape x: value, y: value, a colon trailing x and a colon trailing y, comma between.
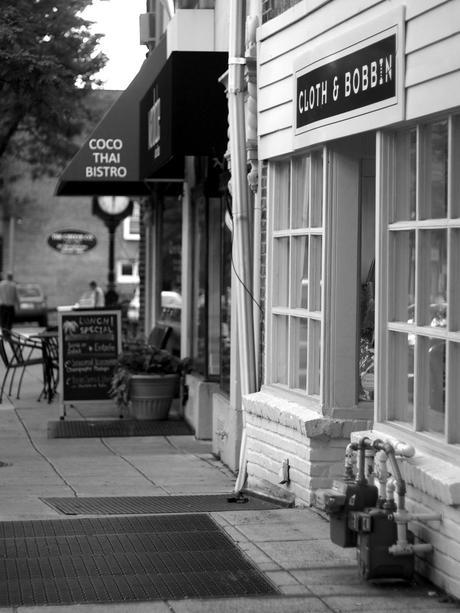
x: 431, y: 470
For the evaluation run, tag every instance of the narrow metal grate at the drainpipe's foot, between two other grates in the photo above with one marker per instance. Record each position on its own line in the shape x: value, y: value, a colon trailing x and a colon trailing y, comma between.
x: 157, y: 504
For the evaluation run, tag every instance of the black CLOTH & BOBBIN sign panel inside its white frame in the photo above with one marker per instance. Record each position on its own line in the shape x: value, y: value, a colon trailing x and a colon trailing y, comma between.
x: 354, y: 81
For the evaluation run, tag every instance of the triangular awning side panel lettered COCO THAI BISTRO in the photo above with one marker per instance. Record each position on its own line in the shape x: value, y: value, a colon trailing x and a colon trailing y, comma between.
x: 109, y: 161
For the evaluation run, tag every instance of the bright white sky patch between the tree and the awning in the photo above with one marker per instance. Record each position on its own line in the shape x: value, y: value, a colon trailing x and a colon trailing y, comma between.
x: 119, y: 21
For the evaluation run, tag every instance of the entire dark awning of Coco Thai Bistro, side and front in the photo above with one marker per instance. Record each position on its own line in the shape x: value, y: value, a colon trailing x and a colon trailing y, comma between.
x: 172, y: 108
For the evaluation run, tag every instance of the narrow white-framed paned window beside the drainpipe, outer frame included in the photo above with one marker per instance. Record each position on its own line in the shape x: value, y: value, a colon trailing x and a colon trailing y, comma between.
x: 283, y: 321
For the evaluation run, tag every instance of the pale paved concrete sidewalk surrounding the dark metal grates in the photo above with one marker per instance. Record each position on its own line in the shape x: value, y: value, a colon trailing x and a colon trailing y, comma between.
x: 291, y: 546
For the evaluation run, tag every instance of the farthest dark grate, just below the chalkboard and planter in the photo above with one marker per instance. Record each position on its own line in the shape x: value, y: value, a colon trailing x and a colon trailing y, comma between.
x: 119, y: 427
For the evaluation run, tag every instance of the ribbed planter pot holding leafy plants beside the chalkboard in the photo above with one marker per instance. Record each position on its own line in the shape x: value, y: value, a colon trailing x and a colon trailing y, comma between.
x: 151, y: 396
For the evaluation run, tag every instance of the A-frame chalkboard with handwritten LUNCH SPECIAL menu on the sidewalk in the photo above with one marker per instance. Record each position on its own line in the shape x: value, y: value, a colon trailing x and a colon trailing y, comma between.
x: 89, y: 345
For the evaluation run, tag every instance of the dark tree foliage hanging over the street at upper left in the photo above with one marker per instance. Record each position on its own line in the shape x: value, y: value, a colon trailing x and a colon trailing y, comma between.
x: 48, y: 59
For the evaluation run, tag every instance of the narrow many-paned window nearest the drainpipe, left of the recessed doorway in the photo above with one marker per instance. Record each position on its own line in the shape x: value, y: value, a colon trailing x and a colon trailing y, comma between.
x: 295, y: 288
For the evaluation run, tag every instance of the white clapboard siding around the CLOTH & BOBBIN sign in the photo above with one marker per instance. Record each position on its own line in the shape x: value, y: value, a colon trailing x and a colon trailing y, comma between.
x: 432, y: 58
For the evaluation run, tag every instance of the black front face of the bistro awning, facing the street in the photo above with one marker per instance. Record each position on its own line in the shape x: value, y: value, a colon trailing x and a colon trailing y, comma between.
x: 184, y: 112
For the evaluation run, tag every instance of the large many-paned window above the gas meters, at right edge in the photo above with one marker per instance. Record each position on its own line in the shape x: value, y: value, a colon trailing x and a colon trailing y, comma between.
x: 423, y: 264
